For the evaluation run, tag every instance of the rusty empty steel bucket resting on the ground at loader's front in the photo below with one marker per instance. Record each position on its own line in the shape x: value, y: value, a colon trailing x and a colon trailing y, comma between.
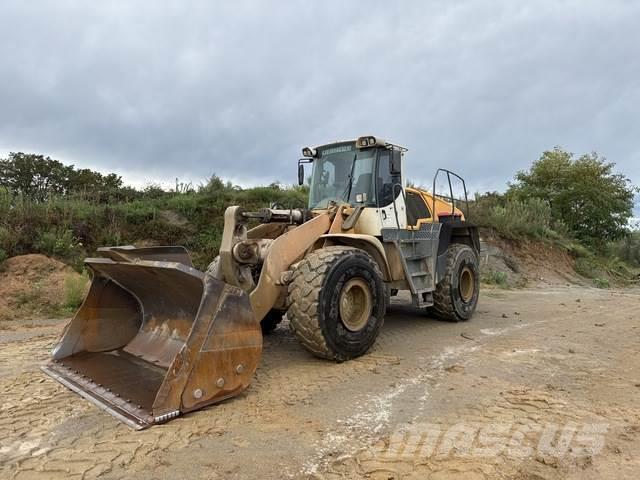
x: 155, y: 337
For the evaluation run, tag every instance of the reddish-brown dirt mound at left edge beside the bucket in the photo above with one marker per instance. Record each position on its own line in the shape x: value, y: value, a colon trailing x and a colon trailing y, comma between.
x: 34, y: 285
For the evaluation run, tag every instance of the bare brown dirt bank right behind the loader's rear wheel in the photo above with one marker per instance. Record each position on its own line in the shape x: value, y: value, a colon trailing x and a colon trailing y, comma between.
x: 527, y: 262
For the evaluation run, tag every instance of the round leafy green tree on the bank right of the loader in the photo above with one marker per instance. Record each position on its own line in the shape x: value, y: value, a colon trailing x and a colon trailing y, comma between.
x: 584, y: 193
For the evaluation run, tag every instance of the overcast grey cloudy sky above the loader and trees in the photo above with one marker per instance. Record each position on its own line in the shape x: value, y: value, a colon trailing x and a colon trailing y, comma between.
x: 162, y: 89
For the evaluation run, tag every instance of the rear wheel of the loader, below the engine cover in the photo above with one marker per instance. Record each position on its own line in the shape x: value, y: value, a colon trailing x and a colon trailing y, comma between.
x: 456, y: 296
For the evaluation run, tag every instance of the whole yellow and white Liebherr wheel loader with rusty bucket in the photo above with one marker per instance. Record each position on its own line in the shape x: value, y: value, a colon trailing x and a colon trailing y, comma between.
x: 155, y: 337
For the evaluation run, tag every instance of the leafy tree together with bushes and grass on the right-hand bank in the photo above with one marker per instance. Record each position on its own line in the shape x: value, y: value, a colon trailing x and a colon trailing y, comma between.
x: 578, y: 204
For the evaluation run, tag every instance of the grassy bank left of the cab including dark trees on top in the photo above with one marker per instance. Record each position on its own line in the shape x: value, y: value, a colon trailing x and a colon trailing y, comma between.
x: 71, y: 220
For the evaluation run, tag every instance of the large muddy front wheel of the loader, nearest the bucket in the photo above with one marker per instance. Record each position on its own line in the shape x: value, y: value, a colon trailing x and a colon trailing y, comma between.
x: 336, y: 302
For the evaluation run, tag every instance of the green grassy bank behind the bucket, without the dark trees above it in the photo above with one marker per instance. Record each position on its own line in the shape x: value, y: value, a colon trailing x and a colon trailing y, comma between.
x: 72, y: 227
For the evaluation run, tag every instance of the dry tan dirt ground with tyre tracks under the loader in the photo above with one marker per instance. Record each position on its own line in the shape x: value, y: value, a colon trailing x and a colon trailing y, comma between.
x: 529, y: 362
